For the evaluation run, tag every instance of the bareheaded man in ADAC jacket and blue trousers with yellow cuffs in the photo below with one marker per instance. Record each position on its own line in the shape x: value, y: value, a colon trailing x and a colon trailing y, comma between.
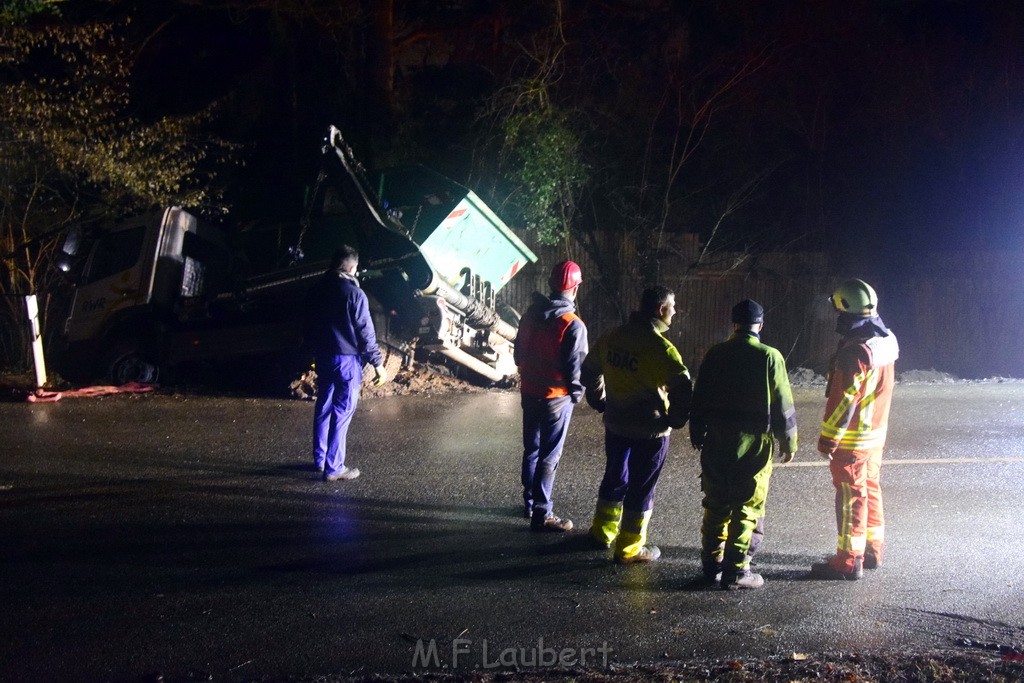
x: 637, y: 379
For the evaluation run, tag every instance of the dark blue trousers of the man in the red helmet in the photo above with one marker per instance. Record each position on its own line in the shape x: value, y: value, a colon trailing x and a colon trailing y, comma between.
x: 545, y: 423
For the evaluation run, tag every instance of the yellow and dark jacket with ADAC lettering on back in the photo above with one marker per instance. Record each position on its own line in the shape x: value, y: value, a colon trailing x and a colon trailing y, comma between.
x: 637, y: 378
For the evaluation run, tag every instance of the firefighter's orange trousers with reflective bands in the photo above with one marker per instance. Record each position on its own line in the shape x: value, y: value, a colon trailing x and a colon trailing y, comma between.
x: 860, y: 516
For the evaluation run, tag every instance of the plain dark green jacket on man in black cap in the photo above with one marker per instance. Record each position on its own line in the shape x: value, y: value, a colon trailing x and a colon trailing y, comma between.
x: 743, y: 386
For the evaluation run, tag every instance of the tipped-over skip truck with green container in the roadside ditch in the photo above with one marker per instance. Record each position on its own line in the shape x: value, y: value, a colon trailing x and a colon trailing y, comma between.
x: 168, y: 290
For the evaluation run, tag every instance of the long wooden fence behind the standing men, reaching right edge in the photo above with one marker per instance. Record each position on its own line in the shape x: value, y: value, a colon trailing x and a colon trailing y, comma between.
x: 959, y: 314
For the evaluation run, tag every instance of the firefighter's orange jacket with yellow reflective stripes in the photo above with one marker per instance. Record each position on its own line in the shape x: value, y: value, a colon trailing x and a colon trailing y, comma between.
x: 859, y: 395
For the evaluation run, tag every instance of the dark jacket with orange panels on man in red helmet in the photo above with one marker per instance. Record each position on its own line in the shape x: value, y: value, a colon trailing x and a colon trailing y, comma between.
x: 550, y: 349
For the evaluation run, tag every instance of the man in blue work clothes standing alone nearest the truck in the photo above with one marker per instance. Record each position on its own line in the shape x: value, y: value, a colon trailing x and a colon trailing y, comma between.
x: 340, y: 333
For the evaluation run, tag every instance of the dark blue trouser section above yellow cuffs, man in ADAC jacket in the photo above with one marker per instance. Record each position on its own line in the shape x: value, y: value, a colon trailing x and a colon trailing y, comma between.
x: 631, y: 471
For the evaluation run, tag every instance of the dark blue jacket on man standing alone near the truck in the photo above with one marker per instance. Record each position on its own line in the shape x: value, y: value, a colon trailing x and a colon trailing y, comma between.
x: 338, y: 320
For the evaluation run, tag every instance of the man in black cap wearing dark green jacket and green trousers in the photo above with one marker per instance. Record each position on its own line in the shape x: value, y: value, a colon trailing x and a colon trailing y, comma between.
x: 742, y: 401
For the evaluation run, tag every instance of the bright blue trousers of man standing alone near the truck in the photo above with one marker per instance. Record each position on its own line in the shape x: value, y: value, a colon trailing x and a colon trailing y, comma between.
x: 338, y: 382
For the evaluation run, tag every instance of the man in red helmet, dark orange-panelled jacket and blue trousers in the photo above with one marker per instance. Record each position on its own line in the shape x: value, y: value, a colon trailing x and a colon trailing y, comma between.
x: 549, y: 350
